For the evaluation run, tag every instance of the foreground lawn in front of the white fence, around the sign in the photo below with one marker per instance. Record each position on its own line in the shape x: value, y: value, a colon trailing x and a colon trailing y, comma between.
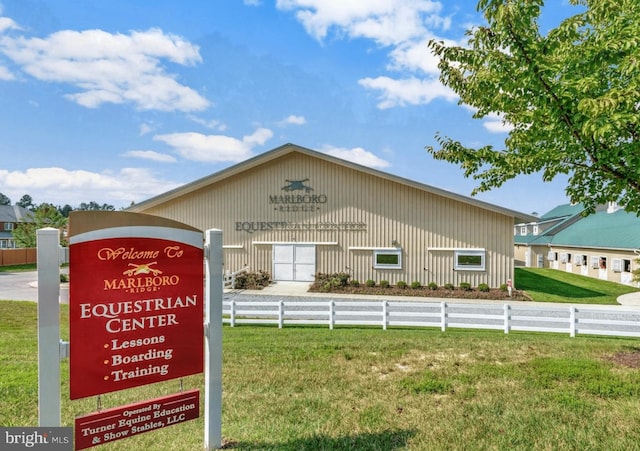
x: 310, y: 388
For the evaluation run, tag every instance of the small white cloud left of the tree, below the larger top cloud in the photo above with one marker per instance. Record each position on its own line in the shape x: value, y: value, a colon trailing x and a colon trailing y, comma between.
x: 409, y: 91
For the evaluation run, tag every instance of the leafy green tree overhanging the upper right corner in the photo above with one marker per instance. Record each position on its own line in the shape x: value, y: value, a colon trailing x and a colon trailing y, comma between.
x: 571, y: 96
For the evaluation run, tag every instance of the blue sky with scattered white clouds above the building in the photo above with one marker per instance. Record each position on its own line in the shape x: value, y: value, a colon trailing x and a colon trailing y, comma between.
x: 116, y: 101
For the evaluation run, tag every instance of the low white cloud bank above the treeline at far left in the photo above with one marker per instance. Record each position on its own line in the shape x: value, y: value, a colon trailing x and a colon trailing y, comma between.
x: 62, y: 186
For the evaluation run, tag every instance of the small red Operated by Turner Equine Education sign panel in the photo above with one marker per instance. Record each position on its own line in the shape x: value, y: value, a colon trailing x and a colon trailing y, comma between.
x: 126, y: 421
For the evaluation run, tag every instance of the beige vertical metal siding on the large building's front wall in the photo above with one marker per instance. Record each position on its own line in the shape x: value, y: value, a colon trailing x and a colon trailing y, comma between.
x: 419, y: 220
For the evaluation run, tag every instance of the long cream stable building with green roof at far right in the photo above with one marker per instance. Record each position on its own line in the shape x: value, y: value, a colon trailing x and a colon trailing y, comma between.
x: 603, y: 245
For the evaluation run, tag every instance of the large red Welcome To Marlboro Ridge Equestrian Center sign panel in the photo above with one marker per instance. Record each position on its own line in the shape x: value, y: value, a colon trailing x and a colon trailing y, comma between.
x: 135, y: 301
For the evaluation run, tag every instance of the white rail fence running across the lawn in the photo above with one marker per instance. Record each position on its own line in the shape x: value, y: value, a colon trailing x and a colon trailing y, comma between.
x: 522, y: 317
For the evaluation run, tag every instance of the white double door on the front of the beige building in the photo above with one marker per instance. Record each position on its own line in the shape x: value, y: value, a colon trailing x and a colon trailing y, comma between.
x: 294, y: 262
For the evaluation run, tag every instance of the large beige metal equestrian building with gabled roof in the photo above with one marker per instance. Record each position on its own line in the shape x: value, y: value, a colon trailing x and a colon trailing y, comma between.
x: 295, y: 212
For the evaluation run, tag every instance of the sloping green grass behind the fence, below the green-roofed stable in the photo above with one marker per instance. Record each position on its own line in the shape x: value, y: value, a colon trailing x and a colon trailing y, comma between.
x: 552, y: 285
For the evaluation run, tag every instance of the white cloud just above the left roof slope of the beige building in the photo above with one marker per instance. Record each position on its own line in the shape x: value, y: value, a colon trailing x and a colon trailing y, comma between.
x: 215, y: 148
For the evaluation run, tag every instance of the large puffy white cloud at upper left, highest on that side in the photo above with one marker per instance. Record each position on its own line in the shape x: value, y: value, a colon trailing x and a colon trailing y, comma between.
x: 111, y: 68
